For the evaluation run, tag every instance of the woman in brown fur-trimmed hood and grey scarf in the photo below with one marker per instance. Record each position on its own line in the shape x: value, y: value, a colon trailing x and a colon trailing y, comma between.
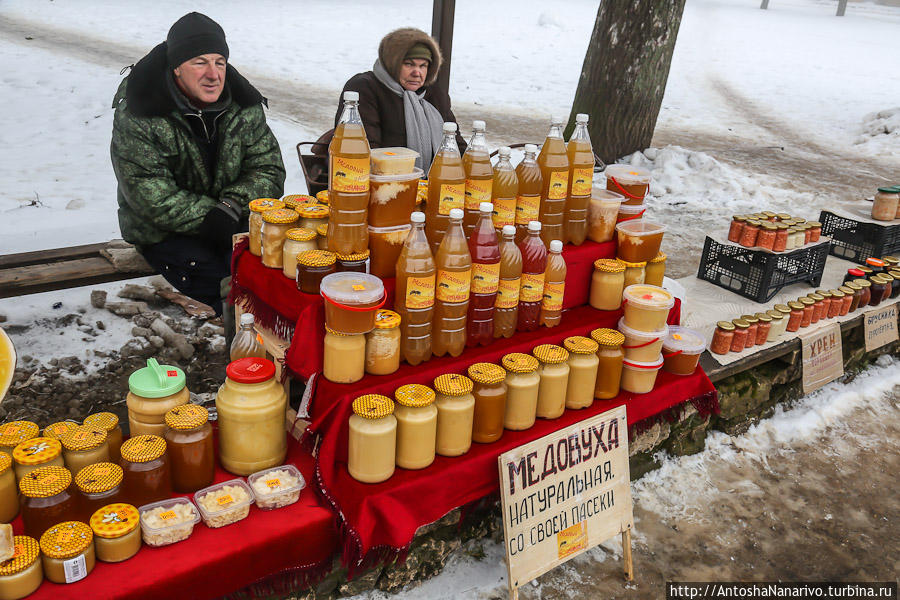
x: 398, y: 103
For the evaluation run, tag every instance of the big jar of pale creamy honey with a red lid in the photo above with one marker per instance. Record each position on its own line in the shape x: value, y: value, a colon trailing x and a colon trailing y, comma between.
x: 251, y: 407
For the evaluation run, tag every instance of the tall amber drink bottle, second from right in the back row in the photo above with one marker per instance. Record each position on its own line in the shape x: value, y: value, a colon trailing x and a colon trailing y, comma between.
x: 554, y: 164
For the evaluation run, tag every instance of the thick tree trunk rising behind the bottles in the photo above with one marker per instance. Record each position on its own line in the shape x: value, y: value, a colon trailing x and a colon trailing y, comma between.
x: 624, y: 74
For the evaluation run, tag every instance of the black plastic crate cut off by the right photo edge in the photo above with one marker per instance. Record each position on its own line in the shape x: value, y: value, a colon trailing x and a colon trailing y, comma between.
x: 857, y: 240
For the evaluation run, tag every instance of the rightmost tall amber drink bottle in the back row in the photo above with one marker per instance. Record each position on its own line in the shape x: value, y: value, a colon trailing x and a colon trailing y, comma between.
x: 581, y: 175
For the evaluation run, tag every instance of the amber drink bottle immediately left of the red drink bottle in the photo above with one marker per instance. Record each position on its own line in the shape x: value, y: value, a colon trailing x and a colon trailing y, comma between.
x: 454, y: 274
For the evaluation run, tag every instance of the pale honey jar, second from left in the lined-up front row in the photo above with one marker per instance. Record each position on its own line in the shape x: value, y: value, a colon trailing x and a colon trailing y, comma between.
x: 416, y: 417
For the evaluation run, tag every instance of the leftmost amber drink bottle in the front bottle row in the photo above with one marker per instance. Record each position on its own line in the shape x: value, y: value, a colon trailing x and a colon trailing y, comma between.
x: 414, y: 295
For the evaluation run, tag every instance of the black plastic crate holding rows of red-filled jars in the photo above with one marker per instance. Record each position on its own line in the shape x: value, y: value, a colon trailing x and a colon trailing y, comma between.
x: 757, y: 274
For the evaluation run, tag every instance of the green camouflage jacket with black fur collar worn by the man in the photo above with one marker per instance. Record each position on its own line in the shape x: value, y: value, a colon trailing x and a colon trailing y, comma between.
x: 164, y: 187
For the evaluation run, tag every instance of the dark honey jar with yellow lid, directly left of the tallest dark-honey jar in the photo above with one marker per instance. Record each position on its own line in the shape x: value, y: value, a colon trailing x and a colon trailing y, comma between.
x: 147, y: 474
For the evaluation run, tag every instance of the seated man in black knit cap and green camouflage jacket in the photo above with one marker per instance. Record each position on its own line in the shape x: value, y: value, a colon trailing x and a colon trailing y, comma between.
x: 191, y: 149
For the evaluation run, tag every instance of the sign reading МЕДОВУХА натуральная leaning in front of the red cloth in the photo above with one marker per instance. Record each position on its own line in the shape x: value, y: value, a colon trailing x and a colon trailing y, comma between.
x: 565, y: 493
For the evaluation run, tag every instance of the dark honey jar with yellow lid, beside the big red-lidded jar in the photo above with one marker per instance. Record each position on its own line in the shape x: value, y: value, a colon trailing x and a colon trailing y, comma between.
x: 189, y: 444
